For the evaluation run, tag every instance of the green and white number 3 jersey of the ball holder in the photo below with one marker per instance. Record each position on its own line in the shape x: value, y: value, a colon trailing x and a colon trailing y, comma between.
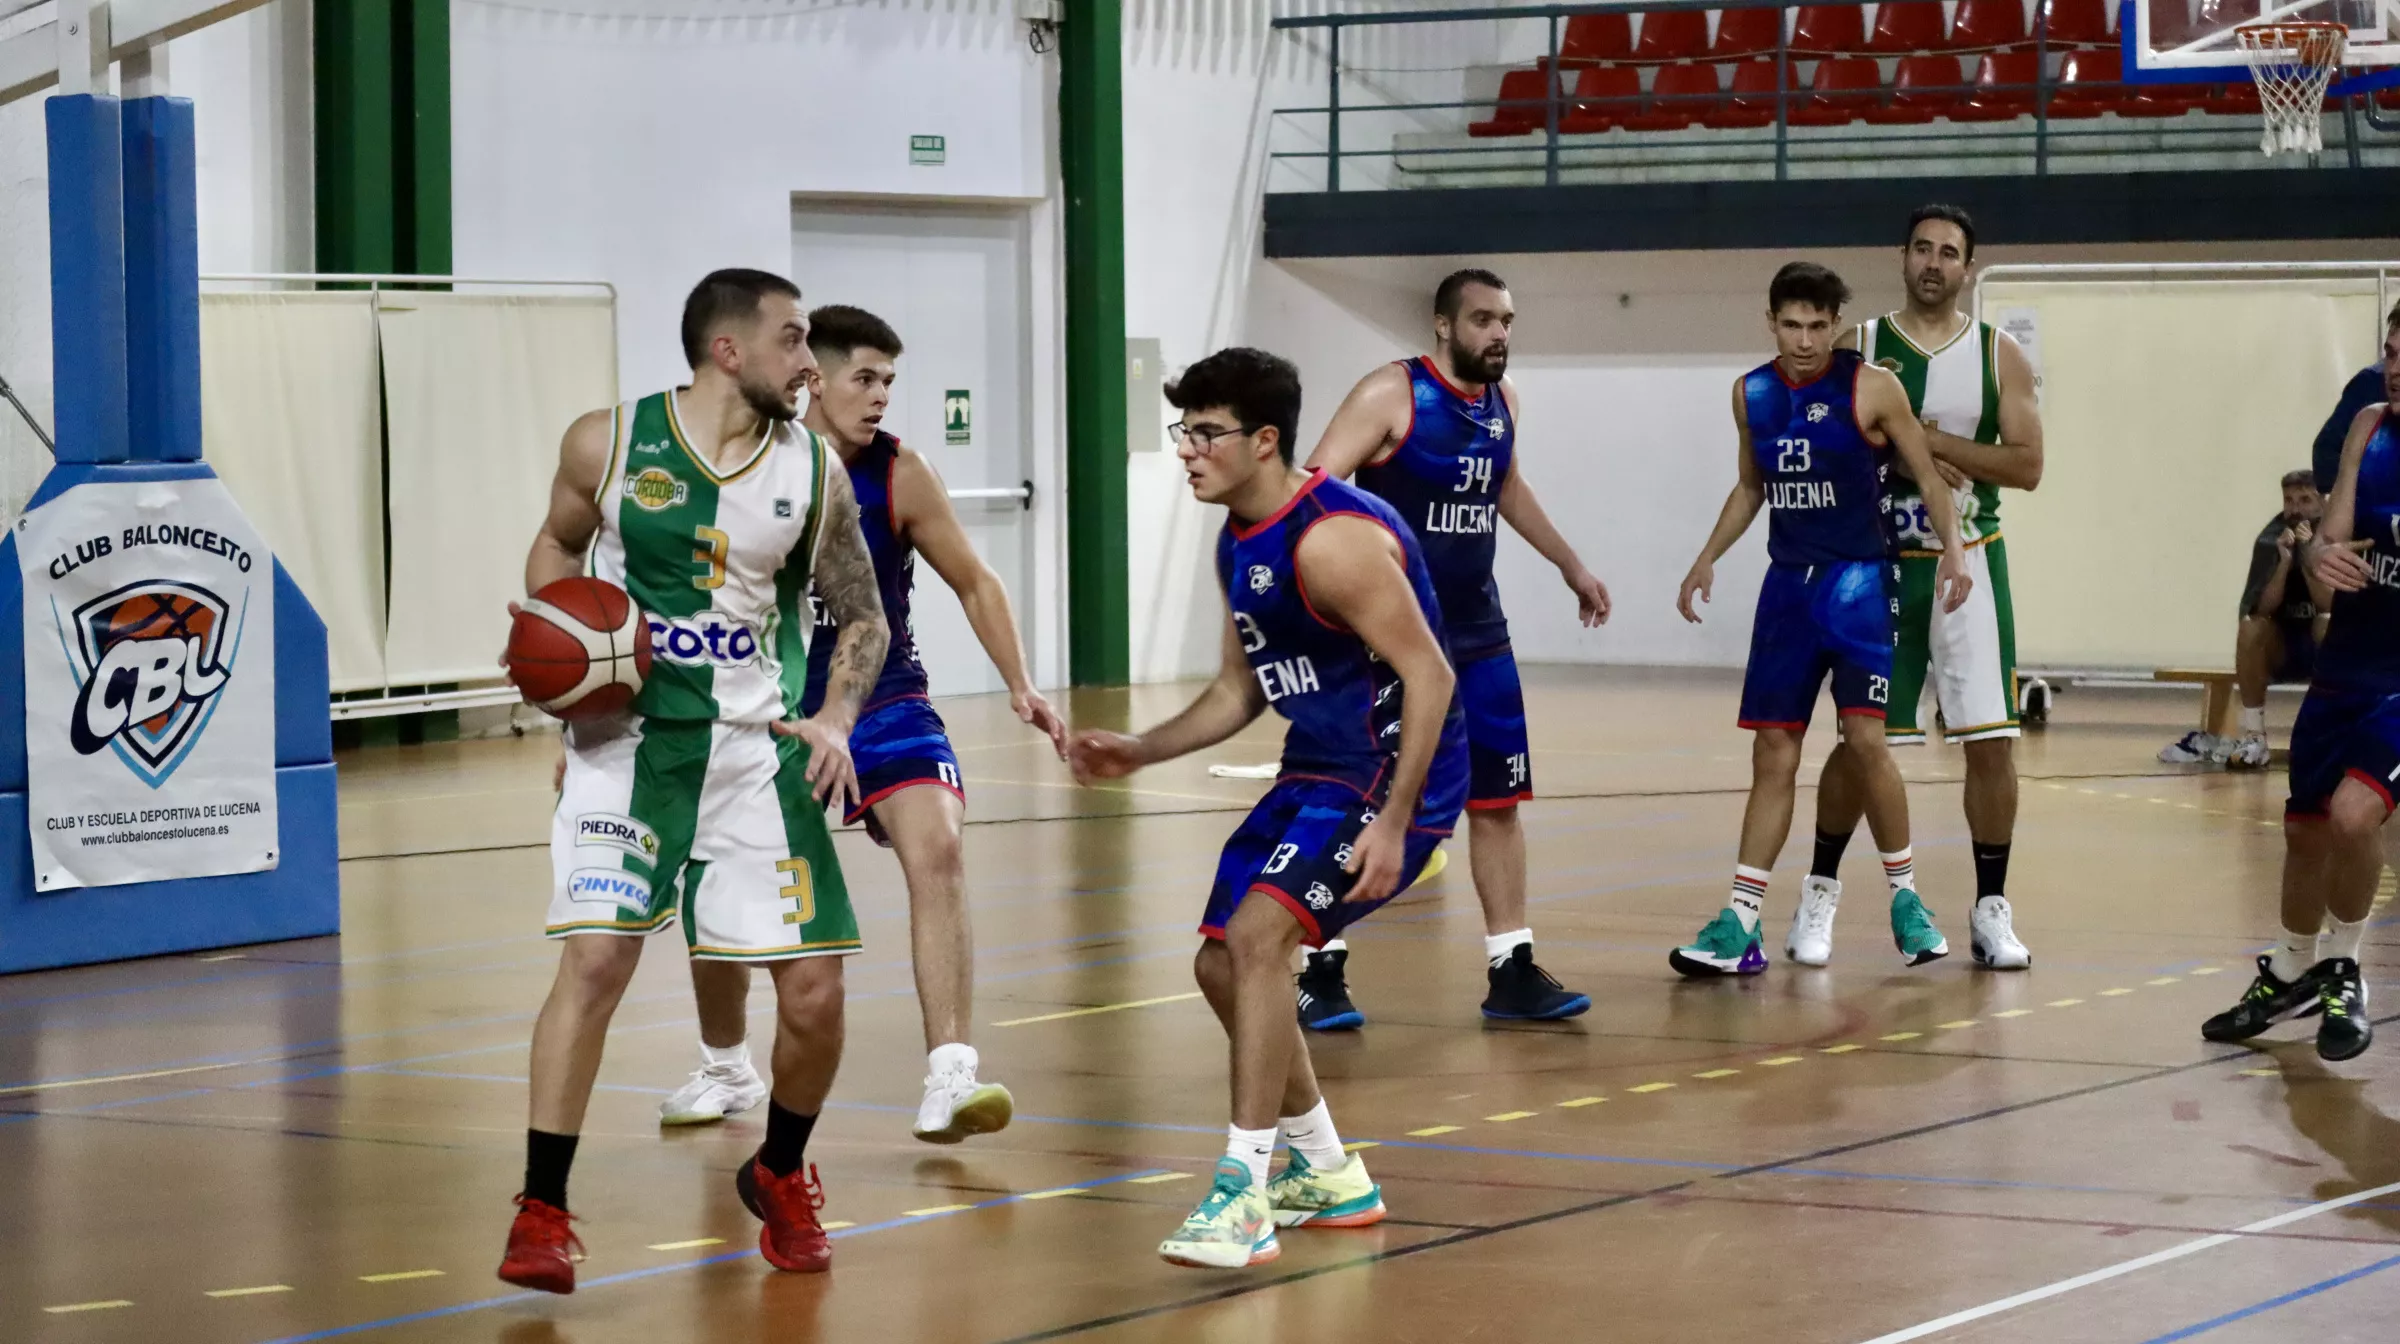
x: 716, y: 560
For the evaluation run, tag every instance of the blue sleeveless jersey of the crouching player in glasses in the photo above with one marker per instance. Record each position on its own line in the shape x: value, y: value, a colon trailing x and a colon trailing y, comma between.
x: 1340, y: 700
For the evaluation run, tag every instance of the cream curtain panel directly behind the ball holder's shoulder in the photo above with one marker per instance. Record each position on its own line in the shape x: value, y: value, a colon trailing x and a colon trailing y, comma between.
x: 479, y: 395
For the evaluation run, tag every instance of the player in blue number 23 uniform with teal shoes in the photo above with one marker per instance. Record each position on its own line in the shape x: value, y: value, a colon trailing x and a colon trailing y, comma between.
x: 1813, y: 428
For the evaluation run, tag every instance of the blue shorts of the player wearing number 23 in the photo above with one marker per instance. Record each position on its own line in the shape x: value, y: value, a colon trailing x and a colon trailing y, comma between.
x: 1820, y: 620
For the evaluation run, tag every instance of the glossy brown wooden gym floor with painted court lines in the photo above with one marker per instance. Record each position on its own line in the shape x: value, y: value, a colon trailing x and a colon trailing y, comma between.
x: 318, y: 1141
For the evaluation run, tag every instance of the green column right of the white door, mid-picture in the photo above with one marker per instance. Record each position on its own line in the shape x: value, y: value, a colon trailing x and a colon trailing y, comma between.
x: 1091, y: 162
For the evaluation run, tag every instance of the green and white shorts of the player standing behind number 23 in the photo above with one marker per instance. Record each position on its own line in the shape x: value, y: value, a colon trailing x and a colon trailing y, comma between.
x: 1969, y: 652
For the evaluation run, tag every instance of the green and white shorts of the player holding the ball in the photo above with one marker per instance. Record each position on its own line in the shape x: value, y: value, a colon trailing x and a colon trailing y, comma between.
x: 707, y: 824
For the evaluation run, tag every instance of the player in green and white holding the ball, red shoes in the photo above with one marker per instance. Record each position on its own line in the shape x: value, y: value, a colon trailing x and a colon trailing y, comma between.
x: 702, y: 805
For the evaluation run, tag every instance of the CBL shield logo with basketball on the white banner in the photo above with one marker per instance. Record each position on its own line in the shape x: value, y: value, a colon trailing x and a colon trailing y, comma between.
x: 152, y: 661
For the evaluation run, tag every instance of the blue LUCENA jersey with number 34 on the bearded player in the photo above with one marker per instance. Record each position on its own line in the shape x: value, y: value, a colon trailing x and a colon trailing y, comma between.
x: 1446, y: 481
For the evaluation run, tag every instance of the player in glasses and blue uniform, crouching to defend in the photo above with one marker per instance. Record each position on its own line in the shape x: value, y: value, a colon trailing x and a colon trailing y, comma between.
x: 1331, y: 623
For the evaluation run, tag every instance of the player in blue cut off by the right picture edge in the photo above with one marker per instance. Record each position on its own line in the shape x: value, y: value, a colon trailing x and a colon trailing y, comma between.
x: 2346, y: 752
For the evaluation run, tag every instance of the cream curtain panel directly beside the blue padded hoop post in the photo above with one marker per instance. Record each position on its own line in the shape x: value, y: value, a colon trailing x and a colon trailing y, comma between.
x: 289, y: 421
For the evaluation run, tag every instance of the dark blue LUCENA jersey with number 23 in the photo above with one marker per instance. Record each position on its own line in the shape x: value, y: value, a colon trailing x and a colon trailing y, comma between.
x: 1825, y: 479
